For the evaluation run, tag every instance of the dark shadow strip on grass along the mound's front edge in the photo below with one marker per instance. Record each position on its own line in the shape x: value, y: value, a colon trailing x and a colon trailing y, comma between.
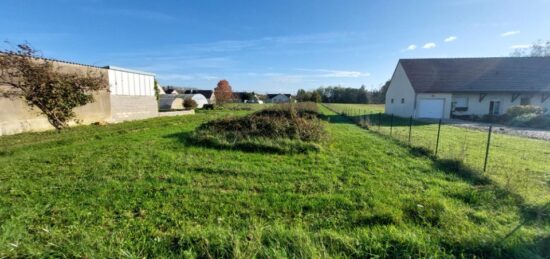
x: 282, y: 146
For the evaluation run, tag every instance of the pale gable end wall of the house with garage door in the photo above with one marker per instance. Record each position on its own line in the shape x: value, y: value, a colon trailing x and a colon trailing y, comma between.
x: 400, y: 88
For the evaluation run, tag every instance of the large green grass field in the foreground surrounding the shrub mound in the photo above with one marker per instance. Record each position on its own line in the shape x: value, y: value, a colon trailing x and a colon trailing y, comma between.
x: 140, y: 189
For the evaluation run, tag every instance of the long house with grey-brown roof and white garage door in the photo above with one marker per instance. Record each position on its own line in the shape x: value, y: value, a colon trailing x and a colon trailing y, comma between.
x: 442, y: 88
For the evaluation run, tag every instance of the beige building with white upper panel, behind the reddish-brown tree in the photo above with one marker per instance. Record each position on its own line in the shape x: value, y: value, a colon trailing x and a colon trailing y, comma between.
x: 131, y: 96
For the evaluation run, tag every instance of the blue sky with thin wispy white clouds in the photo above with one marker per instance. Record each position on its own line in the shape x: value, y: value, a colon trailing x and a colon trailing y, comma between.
x: 275, y: 46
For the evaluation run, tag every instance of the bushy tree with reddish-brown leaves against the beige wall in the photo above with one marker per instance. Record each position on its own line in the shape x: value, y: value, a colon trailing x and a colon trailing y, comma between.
x: 43, y: 86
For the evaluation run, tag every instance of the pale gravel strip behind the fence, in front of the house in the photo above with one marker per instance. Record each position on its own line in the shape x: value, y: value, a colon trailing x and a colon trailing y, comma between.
x: 523, y: 132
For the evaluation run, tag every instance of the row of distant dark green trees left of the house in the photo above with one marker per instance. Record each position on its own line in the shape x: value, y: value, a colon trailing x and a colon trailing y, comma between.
x: 339, y: 94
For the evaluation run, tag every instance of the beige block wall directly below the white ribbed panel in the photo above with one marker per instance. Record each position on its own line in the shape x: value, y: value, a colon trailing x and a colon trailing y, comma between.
x: 124, y: 108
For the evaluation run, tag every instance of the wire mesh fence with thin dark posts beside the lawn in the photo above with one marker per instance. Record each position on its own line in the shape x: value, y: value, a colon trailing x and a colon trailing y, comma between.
x: 518, y: 163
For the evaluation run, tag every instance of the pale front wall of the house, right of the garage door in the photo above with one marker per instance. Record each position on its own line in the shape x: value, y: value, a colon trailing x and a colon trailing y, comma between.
x: 476, y: 107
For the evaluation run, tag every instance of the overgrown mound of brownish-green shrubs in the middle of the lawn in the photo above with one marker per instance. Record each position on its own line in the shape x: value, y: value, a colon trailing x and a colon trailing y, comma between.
x: 279, y: 129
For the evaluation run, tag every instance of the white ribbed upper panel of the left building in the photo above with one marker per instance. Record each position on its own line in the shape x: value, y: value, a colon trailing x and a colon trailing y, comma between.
x: 132, y: 84
